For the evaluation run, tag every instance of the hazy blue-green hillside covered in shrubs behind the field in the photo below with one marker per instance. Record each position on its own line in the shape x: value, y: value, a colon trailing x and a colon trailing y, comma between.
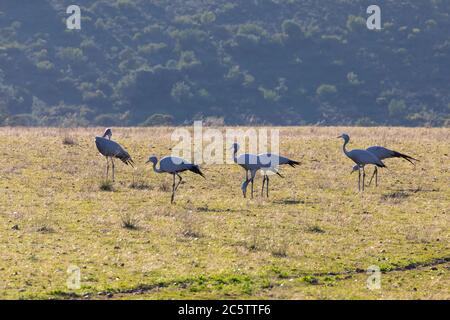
x: 283, y: 62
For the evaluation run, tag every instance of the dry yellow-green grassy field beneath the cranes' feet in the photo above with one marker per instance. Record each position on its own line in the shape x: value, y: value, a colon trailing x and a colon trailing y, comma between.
x: 313, y: 238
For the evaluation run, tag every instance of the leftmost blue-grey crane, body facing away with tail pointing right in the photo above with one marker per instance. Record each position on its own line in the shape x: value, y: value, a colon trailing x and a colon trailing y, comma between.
x: 110, y: 150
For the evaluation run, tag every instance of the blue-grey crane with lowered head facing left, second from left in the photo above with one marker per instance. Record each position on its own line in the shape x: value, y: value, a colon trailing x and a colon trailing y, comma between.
x: 174, y: 166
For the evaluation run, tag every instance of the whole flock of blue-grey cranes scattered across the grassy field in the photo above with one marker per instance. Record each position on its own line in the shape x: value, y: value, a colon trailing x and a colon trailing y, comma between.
x: 266, y: 163
